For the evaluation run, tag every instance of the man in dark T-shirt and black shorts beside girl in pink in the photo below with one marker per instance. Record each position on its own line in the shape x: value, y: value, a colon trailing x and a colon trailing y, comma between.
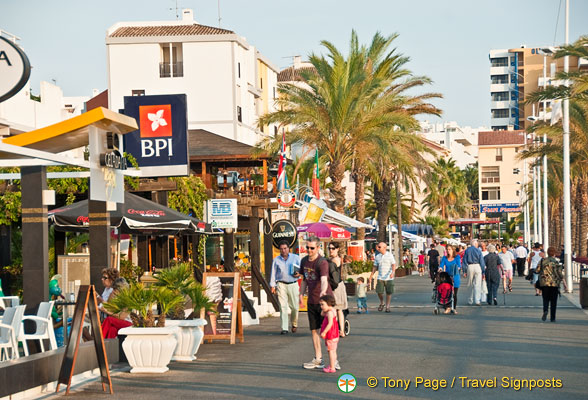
x: 315, y: 275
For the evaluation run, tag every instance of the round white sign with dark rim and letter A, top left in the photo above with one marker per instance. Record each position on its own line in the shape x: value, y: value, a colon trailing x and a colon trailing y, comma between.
x: 15, y: 69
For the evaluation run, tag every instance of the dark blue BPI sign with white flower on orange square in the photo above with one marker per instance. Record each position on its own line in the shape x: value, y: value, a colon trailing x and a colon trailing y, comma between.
x: 160, y: 146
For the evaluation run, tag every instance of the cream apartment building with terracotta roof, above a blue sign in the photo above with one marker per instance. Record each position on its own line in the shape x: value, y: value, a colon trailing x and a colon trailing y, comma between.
x: 502, y: 175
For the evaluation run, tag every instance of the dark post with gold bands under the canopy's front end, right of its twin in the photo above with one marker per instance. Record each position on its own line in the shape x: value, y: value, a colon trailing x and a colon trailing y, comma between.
x: 99, y: 241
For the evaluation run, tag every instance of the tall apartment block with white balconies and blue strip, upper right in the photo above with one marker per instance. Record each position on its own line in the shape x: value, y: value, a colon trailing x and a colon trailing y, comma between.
x: 516, y: 73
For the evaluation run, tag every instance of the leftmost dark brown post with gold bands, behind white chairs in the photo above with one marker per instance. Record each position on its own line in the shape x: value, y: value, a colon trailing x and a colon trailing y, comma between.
x: 35, y: 236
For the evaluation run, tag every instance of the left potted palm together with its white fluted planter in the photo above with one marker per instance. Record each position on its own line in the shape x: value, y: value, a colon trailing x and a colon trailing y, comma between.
x: 149, y: 345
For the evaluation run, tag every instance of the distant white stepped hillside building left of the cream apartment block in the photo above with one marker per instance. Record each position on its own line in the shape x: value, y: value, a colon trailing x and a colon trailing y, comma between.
x: 462, y: 142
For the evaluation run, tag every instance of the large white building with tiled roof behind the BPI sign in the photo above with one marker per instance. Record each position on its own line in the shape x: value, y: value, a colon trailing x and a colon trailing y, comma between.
x: 228, y: 83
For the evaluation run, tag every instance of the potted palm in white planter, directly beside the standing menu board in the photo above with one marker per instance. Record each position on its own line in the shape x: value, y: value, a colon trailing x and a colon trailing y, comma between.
x: 188, y: 331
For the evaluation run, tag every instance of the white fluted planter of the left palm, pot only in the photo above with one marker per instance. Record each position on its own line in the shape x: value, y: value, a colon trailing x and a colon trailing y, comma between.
x: 149, y: 350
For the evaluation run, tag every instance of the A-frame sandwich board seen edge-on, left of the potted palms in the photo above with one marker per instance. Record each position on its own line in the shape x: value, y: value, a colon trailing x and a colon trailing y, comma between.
x: 86, y: 302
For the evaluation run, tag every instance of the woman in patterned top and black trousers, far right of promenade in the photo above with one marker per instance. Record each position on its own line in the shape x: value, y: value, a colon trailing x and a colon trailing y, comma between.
x: 550, y: 275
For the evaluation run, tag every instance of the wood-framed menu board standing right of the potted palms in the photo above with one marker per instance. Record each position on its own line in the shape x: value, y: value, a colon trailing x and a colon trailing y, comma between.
x: 223, y: 289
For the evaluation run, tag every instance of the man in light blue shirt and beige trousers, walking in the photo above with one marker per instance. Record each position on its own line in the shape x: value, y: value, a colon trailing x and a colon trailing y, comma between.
x: 284, y: 281
